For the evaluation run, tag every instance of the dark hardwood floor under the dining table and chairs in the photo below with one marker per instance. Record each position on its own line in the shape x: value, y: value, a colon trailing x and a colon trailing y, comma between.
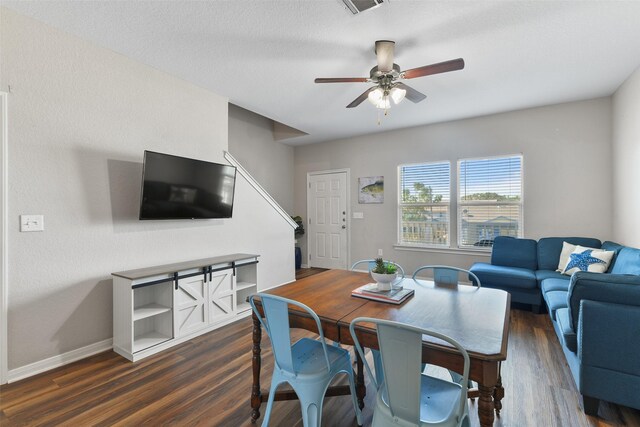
x: 207, y: 381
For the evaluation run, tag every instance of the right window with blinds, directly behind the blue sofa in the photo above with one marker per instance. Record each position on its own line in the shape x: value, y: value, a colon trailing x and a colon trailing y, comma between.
x: 489, y: 200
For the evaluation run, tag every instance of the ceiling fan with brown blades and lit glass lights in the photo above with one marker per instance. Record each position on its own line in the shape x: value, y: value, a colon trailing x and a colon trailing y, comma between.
x: 386, y: 76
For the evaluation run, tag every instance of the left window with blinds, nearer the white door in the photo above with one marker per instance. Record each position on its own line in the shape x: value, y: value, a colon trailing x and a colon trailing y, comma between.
x: 424, y: 204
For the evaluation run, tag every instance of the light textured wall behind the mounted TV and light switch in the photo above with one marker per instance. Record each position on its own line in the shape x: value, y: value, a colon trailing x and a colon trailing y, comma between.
x: 79, y: 119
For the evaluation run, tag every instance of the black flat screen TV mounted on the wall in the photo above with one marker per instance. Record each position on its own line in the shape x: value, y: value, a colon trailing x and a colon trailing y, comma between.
x: 181, y: 188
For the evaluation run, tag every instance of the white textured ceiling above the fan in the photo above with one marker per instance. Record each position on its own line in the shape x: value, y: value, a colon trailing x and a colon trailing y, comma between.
x: 264, y: 55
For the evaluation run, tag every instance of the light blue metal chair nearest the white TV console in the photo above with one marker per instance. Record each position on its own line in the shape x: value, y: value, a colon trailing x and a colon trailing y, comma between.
x: 308, y: 365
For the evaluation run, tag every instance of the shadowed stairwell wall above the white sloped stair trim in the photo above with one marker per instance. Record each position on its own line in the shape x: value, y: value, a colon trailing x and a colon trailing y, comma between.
x: 269, y: 162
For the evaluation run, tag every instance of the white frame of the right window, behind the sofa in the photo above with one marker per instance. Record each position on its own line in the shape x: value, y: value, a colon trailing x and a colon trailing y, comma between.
x: 460, y: 204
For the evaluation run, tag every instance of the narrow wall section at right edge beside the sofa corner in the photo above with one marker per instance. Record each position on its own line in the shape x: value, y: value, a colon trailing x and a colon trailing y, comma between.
x: 626, y: 162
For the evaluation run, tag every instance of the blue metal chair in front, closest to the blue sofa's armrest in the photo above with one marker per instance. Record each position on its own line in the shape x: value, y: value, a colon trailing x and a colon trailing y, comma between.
x: 407, y: 397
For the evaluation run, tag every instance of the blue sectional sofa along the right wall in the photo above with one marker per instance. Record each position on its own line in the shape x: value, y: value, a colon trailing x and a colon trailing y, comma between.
x: 595, y: 316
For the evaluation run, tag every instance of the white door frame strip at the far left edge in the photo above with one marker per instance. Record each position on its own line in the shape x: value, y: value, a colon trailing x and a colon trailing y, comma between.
x: 4, y: 238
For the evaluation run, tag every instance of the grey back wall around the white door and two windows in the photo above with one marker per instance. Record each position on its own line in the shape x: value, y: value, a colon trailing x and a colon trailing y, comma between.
x: 567, y: 172
